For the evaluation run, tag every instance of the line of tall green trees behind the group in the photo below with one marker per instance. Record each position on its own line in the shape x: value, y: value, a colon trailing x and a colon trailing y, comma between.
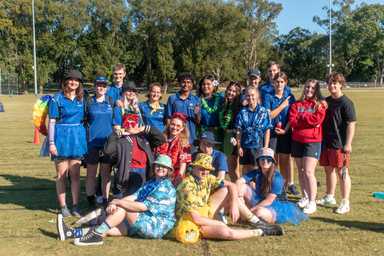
x: 156, y: 39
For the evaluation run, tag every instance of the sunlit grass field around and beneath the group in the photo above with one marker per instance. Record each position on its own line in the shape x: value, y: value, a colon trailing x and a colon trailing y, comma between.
x: 28, y: 200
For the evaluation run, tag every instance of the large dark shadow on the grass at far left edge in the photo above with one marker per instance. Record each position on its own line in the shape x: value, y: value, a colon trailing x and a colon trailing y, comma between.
x: 30, y: 192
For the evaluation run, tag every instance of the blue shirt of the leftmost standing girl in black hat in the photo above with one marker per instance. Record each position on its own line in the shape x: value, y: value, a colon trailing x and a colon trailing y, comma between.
x: 66, y: 111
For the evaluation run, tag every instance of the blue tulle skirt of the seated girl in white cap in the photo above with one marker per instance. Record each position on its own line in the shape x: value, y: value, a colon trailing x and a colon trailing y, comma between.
x: 286, y: 211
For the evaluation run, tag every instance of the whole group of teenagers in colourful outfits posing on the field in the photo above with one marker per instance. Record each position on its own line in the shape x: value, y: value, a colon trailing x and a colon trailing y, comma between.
x: 172, y: 160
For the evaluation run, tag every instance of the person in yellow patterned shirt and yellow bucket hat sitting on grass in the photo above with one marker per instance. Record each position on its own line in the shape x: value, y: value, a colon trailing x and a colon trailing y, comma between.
x: 201, y: 194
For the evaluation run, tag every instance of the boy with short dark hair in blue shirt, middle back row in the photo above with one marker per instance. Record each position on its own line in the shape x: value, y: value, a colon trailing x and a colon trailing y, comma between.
x: 186, y: 103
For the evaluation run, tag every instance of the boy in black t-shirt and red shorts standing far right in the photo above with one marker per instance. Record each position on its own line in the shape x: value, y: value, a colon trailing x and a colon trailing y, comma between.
x: 339, y: 130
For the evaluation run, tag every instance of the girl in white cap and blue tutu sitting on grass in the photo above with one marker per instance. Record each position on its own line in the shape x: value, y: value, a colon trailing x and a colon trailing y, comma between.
x: 265, y: 200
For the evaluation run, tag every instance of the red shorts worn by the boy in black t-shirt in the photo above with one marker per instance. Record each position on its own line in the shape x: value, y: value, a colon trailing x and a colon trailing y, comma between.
x: 335, y: 158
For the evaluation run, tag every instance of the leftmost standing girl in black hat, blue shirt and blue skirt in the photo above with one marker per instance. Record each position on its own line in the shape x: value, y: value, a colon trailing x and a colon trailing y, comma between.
x: 67, y: 138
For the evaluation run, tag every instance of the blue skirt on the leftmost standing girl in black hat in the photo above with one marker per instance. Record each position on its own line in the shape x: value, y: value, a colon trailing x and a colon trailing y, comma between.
x: 70, y: 140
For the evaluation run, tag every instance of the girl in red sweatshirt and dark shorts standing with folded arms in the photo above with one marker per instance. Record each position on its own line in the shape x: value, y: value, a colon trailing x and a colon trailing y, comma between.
x: 306, y: 117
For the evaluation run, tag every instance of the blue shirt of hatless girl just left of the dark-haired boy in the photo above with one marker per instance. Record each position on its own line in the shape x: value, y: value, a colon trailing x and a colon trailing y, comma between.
x: 155, y: 119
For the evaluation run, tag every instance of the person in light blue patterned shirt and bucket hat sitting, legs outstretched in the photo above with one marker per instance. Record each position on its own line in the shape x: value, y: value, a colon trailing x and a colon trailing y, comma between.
x: 149, y: 213
